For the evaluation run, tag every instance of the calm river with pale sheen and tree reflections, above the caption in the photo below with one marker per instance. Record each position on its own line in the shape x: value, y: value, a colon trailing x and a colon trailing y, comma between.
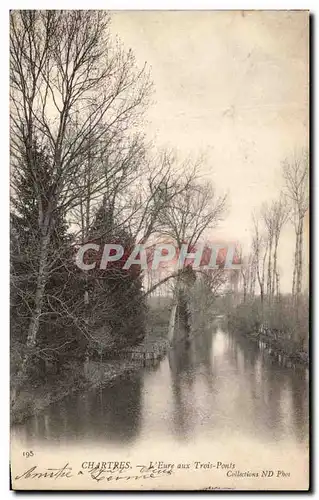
x: 223, y: 394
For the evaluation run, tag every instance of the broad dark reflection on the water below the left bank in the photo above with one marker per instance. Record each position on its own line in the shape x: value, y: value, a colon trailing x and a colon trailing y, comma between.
x: 112, y: 413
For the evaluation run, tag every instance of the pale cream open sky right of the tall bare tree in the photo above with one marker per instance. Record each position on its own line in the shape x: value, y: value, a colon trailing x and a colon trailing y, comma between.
x: 231, y: 85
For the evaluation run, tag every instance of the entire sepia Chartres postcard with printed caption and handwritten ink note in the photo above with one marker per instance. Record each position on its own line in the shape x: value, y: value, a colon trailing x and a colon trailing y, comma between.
x: 159, y: 170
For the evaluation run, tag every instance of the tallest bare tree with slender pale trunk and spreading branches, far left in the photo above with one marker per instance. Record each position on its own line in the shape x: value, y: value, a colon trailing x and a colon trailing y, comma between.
x: 72, y: 91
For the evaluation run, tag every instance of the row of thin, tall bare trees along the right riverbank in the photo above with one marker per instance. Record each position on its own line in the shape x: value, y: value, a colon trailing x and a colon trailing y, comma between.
x: 263, y: 303
